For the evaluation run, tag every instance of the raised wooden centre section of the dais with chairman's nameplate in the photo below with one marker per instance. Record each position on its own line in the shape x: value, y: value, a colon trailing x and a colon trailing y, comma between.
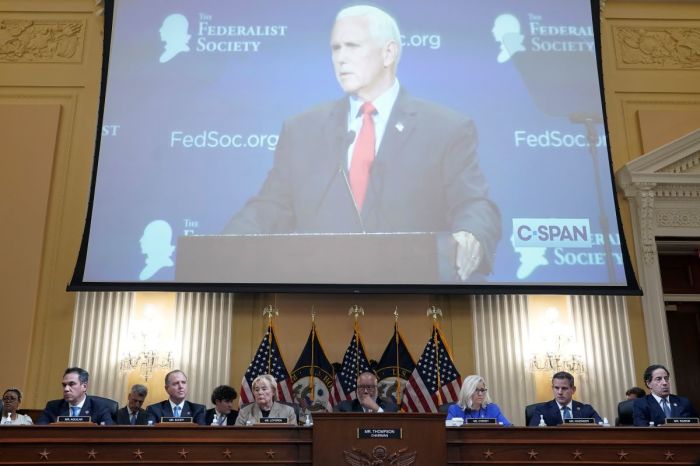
x: 386, y: 438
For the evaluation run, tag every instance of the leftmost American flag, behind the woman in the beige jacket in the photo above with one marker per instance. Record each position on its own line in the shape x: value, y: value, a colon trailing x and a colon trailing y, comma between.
x: 267, y: 360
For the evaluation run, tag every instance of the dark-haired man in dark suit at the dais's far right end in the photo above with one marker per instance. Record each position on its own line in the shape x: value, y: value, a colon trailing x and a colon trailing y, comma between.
x: 660, y: 404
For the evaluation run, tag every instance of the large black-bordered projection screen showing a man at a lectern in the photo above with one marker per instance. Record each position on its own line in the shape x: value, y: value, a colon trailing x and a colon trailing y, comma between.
x: 228, y: 130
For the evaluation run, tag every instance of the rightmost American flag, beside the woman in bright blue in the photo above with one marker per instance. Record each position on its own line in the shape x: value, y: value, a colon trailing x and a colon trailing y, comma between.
x: 435, y: 380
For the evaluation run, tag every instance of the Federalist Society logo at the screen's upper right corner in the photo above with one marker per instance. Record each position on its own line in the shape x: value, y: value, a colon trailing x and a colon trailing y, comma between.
x: 539, y: 36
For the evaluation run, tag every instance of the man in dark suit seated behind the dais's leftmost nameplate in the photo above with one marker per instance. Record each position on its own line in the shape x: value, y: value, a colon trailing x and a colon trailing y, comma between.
x: 76, y: 401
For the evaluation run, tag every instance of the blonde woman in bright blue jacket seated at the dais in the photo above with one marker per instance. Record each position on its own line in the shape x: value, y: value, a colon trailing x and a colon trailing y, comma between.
x: 474, y: 402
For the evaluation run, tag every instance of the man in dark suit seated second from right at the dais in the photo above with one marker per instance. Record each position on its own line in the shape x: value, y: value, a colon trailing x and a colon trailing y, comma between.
x: 563, y: 406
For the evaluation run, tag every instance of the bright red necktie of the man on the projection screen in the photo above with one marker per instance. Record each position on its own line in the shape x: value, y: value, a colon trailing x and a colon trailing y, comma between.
x: 362, y: 155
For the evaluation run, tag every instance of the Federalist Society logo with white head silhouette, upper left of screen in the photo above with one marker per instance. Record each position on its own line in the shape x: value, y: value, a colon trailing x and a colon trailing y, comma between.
x: 212, y: 36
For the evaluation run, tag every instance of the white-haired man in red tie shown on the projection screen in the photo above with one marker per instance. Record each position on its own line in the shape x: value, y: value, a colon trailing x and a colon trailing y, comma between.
x: 378, y: 160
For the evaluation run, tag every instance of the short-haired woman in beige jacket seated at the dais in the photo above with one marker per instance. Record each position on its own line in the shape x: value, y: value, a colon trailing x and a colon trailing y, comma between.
x: 265, y: 404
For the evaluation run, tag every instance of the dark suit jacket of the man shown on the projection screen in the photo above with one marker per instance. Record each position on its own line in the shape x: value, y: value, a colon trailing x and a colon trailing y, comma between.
x: 425, y: 178
